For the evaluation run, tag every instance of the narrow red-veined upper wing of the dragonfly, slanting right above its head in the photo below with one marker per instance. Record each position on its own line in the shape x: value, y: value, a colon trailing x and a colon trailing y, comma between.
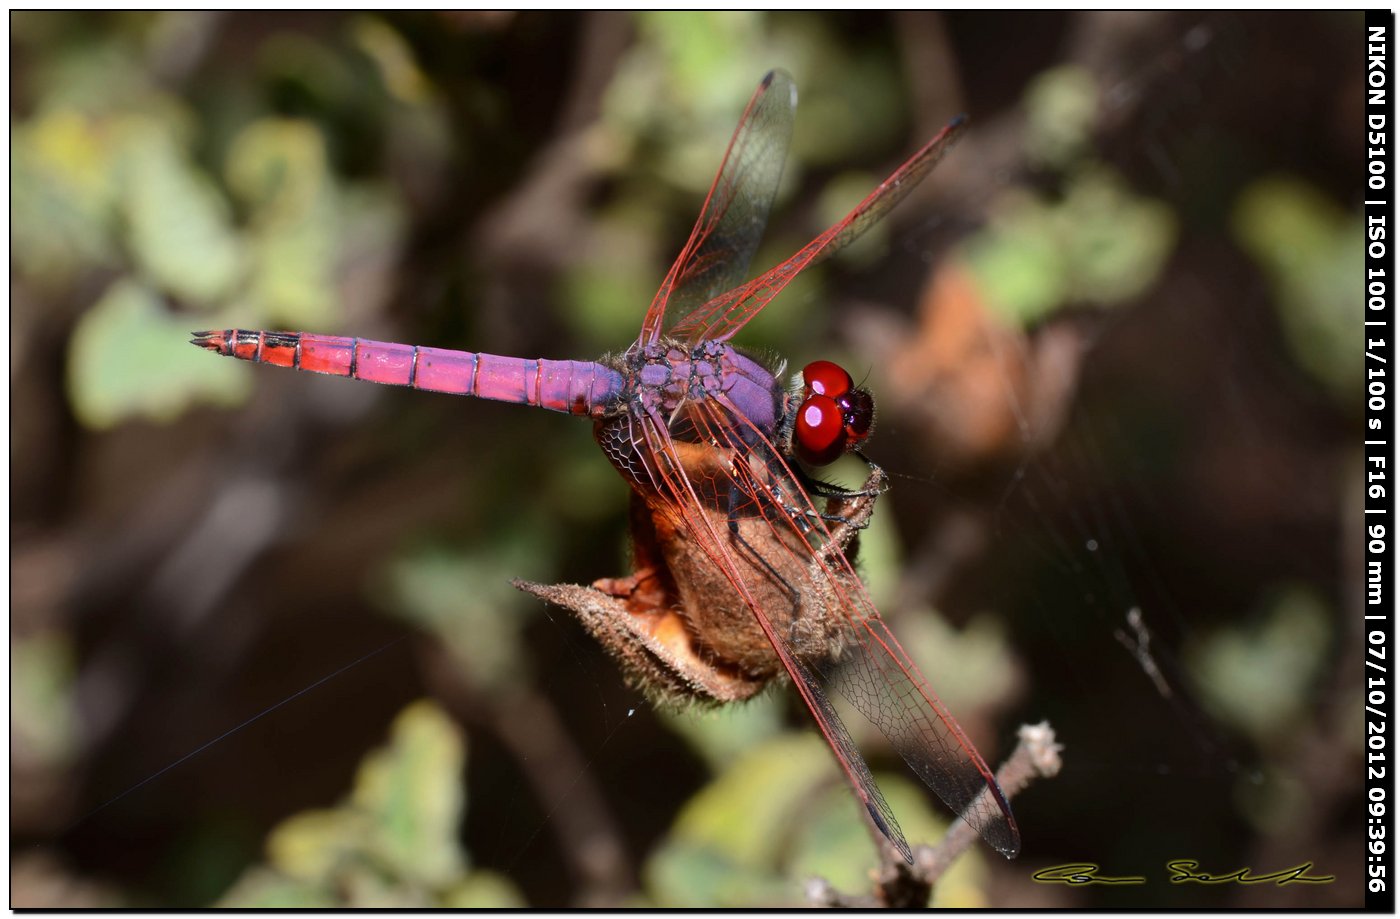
x: 729, y: 313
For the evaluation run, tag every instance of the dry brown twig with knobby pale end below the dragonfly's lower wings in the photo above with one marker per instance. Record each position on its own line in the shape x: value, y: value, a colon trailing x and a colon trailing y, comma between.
x: 902, y: 886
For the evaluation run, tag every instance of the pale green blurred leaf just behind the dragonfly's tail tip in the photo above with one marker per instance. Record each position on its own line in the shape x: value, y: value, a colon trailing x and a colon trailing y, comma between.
x: 129, y: 358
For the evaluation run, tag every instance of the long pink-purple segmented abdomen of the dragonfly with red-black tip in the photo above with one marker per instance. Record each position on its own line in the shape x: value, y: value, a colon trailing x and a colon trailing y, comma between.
x: 573, y: 387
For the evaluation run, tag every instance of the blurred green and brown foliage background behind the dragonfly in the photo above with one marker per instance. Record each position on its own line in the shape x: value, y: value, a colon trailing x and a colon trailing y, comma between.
x: 1114, y: 340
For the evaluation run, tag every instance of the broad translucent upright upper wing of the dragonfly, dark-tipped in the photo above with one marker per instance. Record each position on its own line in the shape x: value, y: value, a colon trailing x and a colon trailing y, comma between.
x: 716, y: 258
